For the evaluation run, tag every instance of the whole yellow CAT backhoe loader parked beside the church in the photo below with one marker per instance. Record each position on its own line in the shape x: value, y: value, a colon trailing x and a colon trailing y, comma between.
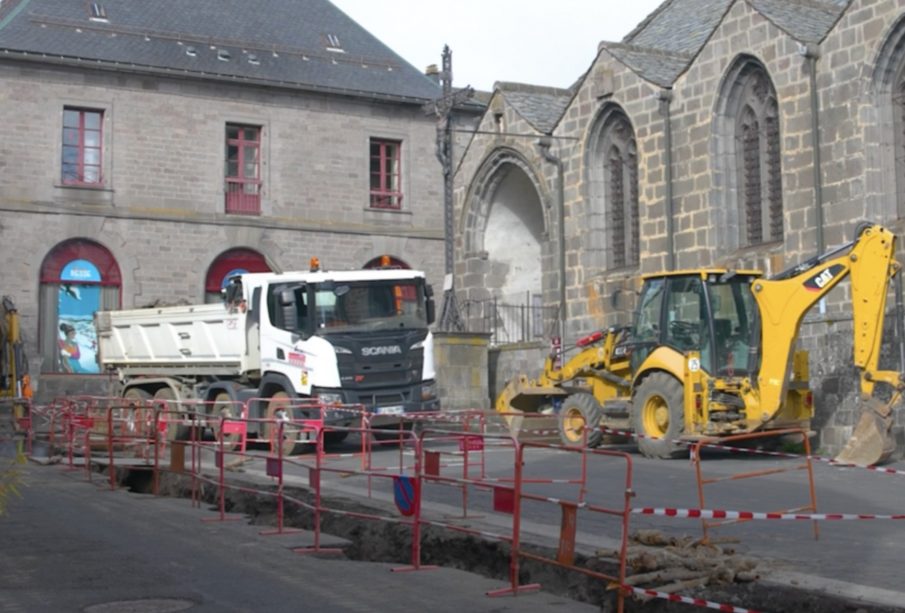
x: 711, y: 353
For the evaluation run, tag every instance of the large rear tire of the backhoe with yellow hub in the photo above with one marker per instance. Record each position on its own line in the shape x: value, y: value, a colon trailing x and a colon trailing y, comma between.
x: 658, y: 417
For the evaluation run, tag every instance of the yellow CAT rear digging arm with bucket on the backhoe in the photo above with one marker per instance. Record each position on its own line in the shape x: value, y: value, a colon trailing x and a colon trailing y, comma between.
x: 869, y: 262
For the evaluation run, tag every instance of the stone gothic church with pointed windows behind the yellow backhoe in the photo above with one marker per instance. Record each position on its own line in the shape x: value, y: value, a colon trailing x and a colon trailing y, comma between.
x: 737, y: 133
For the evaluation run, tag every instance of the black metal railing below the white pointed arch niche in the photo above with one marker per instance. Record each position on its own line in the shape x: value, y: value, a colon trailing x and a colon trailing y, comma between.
x: 509, y: 323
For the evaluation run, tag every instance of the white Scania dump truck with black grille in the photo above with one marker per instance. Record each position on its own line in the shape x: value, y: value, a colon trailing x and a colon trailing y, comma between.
x: 344, y: 337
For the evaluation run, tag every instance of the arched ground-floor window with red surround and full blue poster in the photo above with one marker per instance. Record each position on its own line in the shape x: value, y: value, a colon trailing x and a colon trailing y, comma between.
x: 78, y: 278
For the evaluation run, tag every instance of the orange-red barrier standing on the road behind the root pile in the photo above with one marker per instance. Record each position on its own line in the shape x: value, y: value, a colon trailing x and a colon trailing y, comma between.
x: 810, y: 506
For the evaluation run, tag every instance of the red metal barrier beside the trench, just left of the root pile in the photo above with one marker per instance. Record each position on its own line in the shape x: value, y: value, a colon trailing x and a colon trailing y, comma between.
x: 605, y: 499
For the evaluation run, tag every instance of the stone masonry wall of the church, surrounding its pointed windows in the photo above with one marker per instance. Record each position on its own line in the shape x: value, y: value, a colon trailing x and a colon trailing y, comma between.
x: 856, y: 49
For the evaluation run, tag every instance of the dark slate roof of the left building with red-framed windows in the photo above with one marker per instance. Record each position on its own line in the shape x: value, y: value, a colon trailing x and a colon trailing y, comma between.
x: 302, y: 44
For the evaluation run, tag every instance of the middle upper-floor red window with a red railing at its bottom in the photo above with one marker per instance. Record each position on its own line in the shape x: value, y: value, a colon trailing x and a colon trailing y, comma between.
x: 242, y: 169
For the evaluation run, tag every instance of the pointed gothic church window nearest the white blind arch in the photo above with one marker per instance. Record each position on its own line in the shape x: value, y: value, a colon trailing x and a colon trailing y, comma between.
x: 614, y: 216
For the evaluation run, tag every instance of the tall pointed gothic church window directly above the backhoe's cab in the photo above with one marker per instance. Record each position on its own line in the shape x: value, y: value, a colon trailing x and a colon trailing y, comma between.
x: 757, y: 164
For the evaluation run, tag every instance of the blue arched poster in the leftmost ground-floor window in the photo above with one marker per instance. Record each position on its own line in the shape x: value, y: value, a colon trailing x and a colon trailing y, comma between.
x: 79, y: 298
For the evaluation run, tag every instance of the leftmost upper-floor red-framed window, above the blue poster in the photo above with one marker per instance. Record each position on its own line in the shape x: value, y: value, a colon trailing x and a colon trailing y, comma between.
x: 82, y: 154
